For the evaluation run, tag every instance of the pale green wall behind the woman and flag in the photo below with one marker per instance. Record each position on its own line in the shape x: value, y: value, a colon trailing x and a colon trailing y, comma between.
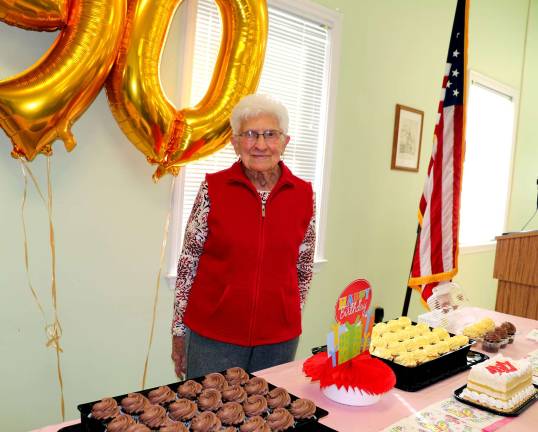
x: 109, y: 216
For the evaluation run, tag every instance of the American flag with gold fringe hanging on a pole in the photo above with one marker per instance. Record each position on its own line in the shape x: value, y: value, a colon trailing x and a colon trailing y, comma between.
x: 436, y: 253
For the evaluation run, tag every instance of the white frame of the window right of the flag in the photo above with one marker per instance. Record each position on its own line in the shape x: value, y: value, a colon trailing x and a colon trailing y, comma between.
x: 496, y: 86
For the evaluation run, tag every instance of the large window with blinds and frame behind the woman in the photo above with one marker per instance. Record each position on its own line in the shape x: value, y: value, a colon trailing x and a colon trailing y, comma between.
x: 299, y: 70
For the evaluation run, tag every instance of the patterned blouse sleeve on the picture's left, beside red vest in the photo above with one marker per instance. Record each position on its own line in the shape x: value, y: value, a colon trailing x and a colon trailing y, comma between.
x: 193, y: 245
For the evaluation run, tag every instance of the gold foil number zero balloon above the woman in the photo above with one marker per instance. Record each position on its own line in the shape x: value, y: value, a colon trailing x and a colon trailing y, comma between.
x: 169, y: 137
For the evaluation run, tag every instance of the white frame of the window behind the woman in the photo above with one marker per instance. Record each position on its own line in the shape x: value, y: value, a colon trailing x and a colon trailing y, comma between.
x: 304, y: 8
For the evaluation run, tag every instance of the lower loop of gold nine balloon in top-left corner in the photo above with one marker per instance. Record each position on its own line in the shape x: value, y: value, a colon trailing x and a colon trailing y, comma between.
x: 34, y: 14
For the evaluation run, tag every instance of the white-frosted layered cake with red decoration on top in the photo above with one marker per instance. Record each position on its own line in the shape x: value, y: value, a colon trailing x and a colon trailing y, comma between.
x: 500, y: 383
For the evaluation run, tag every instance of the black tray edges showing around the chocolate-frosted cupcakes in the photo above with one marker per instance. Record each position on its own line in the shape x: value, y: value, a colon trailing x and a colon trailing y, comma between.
x: 89, y: 424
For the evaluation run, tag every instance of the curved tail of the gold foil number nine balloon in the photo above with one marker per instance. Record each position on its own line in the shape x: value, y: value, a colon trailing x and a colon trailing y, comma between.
x: 40, y: 105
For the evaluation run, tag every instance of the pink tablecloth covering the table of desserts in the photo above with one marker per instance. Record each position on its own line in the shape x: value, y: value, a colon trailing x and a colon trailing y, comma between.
x: 396, y: 404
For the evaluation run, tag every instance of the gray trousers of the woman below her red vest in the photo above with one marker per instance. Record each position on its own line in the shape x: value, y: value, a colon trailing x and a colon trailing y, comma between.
x: 206, y: 355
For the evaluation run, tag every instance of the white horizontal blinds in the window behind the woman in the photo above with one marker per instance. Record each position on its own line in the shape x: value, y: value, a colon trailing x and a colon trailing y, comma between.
x: 295, y: 72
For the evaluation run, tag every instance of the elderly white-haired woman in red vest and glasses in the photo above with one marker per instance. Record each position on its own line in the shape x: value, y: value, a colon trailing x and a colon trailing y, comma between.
x: 246, y: 264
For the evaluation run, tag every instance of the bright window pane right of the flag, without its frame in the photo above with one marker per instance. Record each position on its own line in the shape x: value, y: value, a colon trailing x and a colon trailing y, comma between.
x: 488, y: 161
